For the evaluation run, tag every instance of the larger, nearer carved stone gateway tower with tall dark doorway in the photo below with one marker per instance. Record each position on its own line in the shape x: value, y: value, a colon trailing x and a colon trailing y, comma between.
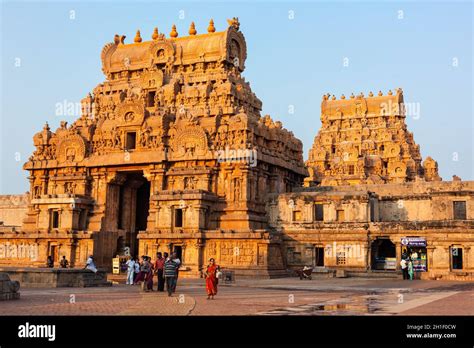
x: 170, y: 154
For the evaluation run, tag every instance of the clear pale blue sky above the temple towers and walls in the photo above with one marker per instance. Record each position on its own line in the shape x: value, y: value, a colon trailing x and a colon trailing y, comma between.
x: 290, y: 62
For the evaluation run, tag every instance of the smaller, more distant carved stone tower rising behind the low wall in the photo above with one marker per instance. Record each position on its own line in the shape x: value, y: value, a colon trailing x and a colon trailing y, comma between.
x: 365, y: 140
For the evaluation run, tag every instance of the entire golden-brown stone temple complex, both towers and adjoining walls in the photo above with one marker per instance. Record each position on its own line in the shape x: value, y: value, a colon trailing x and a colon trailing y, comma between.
x: 171, y: 154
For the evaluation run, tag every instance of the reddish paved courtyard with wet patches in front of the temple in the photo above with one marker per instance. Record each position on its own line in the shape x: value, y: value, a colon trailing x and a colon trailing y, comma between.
x: 289, y: 296
